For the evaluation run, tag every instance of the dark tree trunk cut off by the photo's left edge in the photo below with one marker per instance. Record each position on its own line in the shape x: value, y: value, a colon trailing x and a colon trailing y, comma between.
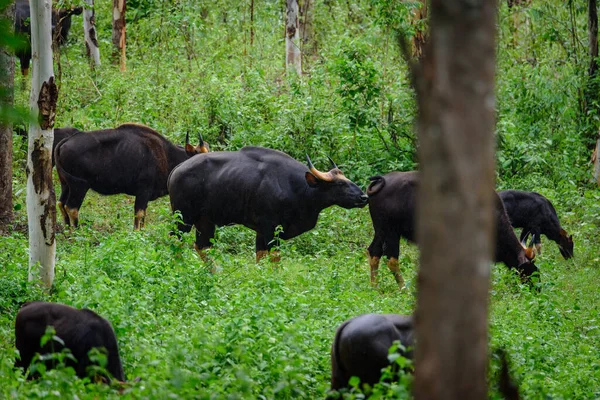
x: 7, y: 76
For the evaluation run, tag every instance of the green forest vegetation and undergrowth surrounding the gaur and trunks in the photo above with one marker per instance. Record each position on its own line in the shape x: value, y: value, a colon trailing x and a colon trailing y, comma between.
x: 255, y: 331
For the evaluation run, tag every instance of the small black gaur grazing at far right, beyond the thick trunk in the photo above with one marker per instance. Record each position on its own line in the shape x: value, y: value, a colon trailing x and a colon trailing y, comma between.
x: 537, y: 216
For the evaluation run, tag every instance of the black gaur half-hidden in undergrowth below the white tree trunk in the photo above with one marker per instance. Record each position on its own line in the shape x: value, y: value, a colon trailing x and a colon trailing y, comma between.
x: 80, y: 330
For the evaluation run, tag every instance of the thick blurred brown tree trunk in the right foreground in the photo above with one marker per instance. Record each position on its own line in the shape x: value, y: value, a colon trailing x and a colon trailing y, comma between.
x: 455, y: 89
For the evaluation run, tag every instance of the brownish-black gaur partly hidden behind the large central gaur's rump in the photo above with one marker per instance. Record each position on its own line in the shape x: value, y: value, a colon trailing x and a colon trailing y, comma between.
x: 131, y: 159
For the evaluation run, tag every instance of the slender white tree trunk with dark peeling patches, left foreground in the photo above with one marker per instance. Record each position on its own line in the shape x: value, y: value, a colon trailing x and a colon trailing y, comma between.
x: 41, y: 201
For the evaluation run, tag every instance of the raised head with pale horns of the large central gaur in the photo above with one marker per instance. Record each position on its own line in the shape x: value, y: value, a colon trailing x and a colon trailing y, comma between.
x: 336, y: 187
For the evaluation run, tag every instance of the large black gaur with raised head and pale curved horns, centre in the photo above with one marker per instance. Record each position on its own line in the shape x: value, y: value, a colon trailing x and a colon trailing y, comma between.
x: 259, y: 188
